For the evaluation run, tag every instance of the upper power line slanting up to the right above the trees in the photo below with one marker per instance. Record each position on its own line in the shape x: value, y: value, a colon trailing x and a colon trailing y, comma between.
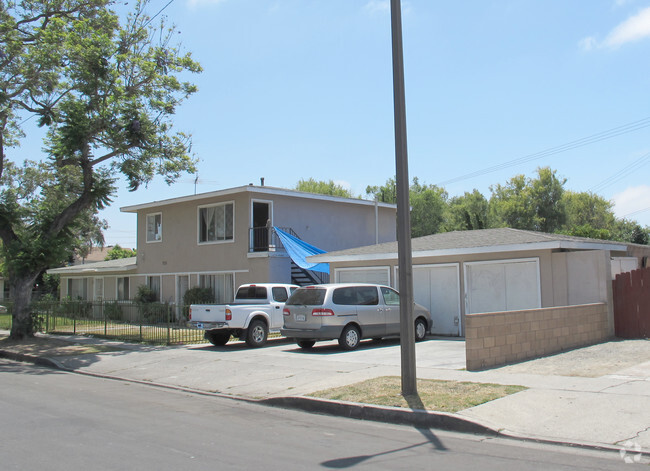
x: 601, y: 136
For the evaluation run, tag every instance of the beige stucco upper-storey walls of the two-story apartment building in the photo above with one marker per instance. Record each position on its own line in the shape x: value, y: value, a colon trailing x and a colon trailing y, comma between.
x: 329, y: 225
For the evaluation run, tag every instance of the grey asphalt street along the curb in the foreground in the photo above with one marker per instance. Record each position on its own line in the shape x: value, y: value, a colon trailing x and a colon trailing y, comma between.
x: 59, y: 421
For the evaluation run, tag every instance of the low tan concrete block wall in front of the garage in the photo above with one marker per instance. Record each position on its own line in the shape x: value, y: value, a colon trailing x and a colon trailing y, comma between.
x: 499, y: 338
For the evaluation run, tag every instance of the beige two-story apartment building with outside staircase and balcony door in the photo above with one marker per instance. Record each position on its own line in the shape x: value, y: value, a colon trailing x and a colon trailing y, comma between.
x: 225, y: 238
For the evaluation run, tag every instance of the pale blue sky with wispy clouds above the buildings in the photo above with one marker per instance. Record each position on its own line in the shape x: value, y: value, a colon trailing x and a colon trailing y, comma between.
x: 298, y: 89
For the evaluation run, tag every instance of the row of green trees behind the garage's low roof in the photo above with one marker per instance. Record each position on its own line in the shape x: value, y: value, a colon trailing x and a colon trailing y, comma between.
x: 540, y: 204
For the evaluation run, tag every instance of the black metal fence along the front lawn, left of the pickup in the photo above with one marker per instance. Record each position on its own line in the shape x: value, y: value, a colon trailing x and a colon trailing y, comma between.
x: 157, y: 323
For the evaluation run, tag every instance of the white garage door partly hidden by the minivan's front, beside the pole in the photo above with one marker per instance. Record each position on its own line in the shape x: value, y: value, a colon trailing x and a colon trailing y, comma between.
x: 437, y: 287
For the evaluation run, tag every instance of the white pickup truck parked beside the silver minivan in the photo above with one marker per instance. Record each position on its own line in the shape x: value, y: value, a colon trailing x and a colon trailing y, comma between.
x: 256, y: 311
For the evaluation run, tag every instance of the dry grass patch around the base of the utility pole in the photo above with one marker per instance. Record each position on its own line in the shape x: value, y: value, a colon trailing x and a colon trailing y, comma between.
x: 438, y: 395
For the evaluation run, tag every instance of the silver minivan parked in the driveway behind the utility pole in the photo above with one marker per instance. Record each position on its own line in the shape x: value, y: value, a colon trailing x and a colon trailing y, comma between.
x: 348, y: 312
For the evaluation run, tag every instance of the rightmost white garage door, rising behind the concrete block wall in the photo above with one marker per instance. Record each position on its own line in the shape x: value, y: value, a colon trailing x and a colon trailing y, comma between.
x: 506, y: 285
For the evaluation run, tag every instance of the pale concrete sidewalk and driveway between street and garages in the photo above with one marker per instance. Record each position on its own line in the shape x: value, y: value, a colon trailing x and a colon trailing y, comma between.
x: 597, y: 396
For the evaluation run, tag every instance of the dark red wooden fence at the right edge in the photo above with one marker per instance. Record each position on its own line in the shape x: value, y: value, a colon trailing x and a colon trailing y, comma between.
x: 632, y: 304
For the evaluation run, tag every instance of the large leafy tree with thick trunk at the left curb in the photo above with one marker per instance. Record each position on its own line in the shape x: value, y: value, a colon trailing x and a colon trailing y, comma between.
x: 105, y: 91
